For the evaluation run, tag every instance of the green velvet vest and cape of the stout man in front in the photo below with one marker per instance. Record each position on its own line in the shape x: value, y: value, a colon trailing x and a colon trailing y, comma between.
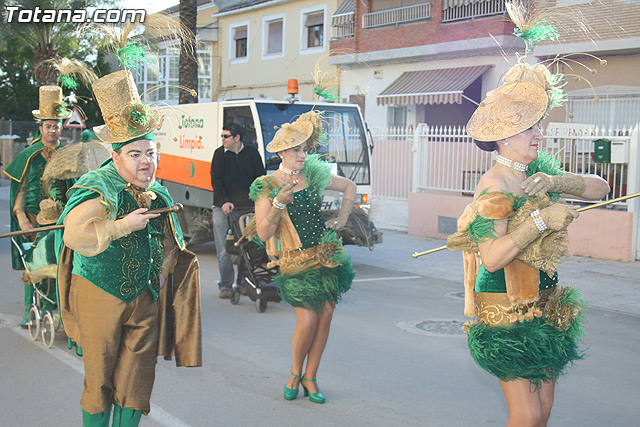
x: 132, y: 263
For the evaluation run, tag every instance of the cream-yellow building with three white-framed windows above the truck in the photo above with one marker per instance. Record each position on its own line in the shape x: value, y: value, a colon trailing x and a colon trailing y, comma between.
x: 263, y: 44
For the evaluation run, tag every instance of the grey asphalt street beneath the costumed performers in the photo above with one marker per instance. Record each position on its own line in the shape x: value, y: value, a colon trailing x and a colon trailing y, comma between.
x: 381, y: 368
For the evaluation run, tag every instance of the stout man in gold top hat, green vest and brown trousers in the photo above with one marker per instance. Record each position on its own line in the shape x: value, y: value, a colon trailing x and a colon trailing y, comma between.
x: 116, y: 262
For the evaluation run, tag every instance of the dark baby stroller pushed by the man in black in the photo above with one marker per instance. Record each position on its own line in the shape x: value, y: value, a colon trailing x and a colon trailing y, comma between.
x: 252, y: 264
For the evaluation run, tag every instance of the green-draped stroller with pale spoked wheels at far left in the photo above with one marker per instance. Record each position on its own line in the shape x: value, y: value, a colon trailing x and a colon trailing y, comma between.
x: 39, y: 262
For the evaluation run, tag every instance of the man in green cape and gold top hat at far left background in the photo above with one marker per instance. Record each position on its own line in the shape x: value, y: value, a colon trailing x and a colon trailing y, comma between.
x: 25, y: 172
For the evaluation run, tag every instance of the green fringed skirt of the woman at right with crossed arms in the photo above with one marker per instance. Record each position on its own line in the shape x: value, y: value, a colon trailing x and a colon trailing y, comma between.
x: 536, y: 350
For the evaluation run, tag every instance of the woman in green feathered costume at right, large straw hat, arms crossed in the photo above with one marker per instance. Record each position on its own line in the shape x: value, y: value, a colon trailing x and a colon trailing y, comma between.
x: 527, y: 326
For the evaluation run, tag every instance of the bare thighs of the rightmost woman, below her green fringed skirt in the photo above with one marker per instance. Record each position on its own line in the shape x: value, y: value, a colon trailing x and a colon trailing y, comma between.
x: 528, y: 408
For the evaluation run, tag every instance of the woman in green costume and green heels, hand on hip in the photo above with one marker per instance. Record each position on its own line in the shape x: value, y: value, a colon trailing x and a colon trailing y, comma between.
x: 315, y: 269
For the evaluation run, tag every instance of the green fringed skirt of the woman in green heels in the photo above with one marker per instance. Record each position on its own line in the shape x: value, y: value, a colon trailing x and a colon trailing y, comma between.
x: 312, y: 289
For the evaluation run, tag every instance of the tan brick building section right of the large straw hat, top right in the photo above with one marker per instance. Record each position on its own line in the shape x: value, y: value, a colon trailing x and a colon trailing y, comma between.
x: 607, y: 96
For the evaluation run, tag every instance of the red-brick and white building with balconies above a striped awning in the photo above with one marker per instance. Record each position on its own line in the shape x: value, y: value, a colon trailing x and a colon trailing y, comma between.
x: 413, y: 61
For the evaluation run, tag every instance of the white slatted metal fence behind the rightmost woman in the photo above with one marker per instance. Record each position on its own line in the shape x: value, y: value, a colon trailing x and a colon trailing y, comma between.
x: 444, y: 158
